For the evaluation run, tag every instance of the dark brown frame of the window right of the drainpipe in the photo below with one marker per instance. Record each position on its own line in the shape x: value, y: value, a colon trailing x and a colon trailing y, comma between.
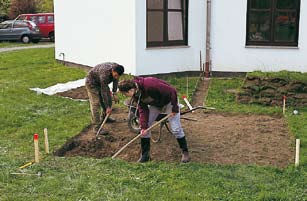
x: 273, y: 10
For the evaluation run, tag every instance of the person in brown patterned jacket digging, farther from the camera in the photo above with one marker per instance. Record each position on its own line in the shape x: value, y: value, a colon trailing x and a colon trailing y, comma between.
x: 99, y: 93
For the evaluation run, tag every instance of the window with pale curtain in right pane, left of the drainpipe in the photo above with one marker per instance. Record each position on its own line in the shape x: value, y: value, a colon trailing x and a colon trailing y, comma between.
x: 167, y: 22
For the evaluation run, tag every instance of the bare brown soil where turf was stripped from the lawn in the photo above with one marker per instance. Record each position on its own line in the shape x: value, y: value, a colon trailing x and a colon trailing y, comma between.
x: 215, y: 138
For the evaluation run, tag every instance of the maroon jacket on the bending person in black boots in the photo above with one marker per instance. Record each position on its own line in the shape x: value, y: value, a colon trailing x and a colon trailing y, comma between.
x: 154, y: 92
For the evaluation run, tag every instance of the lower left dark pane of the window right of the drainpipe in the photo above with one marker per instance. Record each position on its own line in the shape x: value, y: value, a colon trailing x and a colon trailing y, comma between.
x: 259, y: 26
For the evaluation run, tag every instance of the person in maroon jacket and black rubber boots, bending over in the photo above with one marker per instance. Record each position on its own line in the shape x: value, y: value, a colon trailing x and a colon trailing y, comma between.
x: 153, y: 97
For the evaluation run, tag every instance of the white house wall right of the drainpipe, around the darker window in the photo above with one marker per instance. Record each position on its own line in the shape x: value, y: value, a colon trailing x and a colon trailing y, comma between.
x: 229, y: 52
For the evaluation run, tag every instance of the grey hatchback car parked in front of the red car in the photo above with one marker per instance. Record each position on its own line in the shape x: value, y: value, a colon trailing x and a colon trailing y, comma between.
x: 19, y: 30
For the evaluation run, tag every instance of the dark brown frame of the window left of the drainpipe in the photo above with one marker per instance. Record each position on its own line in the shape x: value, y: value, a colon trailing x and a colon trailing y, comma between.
x: 166, y: 42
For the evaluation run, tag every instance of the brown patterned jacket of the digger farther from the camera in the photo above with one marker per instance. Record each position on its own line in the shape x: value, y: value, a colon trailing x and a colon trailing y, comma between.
x: 99, y: 78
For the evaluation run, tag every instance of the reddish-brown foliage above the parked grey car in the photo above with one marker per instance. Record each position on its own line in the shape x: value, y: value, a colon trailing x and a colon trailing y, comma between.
x: 21, y: 6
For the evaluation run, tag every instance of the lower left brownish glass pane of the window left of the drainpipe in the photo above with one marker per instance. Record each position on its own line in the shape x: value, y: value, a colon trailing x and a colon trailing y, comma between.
x: 155, y: 26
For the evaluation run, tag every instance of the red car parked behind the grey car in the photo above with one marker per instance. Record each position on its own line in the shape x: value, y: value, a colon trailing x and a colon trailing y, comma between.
x: 45, y: 22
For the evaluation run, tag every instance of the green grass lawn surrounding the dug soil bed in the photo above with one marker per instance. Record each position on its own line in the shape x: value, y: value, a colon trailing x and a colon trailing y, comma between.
x: 23, y: 112
